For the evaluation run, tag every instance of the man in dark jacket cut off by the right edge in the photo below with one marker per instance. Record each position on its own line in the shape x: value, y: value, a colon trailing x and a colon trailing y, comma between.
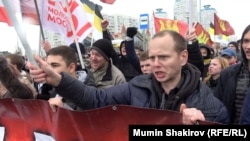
x: 234, y: 81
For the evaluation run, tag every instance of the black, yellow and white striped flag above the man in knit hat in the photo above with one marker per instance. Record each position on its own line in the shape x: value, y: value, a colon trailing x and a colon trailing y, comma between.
x: 95, y: 17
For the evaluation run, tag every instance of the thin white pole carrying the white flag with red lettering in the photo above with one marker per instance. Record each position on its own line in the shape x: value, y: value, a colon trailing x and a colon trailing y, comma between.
x: 74, y: 35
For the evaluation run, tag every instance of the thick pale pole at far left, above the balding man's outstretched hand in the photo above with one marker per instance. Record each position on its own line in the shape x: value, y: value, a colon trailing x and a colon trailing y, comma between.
x: 20, y: 32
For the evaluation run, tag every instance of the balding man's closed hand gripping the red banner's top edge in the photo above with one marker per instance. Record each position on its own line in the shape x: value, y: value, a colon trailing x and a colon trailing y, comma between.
x: 191, y: 116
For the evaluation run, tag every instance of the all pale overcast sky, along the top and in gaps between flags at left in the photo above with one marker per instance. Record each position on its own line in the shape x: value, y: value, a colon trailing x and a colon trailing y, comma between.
x: 236, y: 12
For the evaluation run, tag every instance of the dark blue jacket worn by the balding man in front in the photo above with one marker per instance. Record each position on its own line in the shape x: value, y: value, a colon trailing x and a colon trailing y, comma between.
x: 141, y: 92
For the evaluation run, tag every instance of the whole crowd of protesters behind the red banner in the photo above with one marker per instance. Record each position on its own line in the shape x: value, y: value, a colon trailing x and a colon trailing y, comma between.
x: 175, y: 73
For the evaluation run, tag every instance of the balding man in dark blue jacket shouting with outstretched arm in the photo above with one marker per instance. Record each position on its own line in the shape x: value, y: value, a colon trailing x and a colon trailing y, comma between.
x: 173, y: 85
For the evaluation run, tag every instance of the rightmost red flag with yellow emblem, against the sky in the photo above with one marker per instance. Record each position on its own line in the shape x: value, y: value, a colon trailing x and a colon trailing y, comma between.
x: 222, y: 27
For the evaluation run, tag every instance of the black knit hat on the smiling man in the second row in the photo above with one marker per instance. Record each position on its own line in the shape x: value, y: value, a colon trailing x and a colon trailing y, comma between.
x: 104, y: 47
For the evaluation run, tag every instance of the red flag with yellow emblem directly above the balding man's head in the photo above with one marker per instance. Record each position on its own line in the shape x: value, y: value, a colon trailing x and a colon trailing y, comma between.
x: 163, y: 24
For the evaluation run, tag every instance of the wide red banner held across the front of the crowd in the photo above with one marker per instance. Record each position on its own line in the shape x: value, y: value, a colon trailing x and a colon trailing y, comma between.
x: 31, y: 120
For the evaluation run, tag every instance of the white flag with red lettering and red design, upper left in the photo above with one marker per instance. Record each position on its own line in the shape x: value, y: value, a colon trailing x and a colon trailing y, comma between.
x: 55, y: 17
